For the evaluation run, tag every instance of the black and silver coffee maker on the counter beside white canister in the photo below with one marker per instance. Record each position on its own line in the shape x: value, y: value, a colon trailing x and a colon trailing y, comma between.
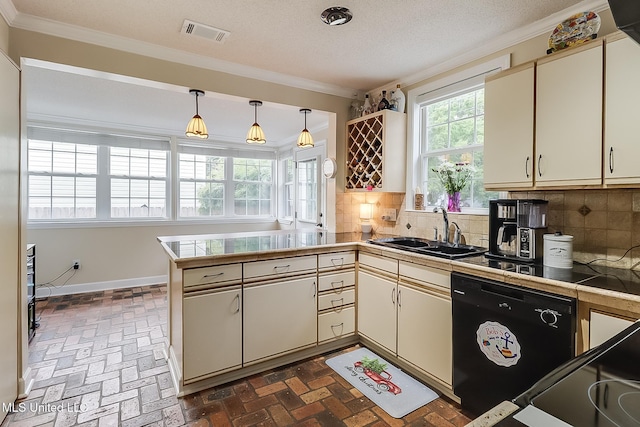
x: 516, y: 228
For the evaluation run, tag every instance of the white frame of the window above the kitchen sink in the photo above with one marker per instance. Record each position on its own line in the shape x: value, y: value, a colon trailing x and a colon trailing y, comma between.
x: 439, y: 88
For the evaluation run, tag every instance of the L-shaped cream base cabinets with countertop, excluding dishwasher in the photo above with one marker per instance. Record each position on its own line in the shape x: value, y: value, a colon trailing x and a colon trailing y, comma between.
x: 242, y: 303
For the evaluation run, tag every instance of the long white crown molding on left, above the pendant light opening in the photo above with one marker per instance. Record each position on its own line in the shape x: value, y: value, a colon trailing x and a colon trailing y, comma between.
x: 72, y: 32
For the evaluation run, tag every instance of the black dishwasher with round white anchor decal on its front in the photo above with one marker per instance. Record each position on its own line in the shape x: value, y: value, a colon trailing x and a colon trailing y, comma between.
x: 505, y: 338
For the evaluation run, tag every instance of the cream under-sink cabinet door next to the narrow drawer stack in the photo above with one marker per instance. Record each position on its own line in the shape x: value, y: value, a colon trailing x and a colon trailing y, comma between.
x: 377, y: 309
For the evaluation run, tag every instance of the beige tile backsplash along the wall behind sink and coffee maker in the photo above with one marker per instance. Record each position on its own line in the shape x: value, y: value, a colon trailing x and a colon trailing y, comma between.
x: 604, y: 223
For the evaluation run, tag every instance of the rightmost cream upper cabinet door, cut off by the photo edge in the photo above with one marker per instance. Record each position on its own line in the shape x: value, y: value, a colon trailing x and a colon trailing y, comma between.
x: 622, y: 127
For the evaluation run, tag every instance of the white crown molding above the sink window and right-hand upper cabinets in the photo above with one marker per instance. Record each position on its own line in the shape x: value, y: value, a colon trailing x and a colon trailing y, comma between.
x: 505, y: 41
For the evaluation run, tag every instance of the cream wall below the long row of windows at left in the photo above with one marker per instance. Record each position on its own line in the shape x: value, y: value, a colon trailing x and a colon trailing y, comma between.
x: 112, y: 256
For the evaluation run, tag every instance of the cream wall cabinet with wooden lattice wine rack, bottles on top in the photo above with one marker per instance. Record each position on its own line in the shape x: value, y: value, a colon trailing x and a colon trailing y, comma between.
x: 376, y: 152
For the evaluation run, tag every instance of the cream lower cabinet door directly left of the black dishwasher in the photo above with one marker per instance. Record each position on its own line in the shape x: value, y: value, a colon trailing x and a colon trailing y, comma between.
x: 425, y: 331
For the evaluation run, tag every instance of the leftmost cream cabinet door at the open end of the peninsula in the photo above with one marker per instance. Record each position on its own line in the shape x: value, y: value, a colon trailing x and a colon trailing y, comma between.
x: 212, y: 332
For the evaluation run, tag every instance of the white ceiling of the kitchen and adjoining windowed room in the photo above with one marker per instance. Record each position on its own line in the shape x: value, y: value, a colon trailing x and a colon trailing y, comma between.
x: 283, y: 41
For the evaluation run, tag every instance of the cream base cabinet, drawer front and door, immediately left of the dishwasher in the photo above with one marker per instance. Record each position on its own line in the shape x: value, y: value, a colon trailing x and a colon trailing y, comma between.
x: 424, y: 319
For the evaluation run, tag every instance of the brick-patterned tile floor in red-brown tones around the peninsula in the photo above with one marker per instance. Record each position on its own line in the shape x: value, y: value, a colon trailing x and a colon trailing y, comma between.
x: 97, y: 361
